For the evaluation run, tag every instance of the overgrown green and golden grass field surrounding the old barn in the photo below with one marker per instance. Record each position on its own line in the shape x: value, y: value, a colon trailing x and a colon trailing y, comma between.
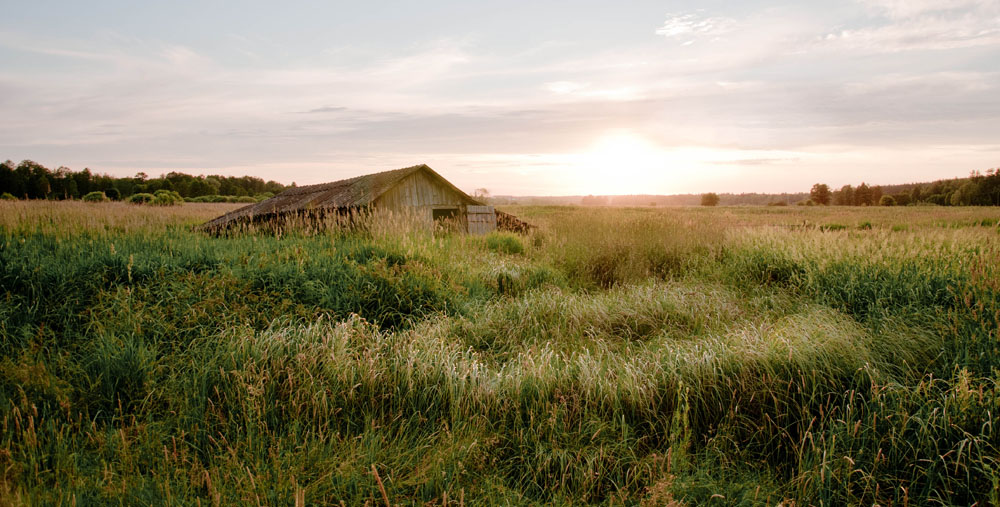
x: 684, y: 356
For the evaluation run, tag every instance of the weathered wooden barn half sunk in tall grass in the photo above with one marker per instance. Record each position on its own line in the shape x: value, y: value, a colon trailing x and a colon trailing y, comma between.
x: 418, y: 190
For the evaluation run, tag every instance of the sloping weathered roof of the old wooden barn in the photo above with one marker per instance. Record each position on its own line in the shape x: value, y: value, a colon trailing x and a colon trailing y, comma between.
x: 352, y: 192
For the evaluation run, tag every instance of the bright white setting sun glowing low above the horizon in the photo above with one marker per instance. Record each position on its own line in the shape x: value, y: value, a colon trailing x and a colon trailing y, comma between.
x: 621, y: 162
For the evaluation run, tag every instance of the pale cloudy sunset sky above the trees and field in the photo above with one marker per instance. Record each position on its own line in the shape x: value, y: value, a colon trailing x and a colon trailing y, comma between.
x: 520, y: 98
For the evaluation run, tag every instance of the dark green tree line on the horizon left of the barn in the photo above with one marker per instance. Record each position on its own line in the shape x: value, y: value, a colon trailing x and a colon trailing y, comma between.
x: 31, y: 180
